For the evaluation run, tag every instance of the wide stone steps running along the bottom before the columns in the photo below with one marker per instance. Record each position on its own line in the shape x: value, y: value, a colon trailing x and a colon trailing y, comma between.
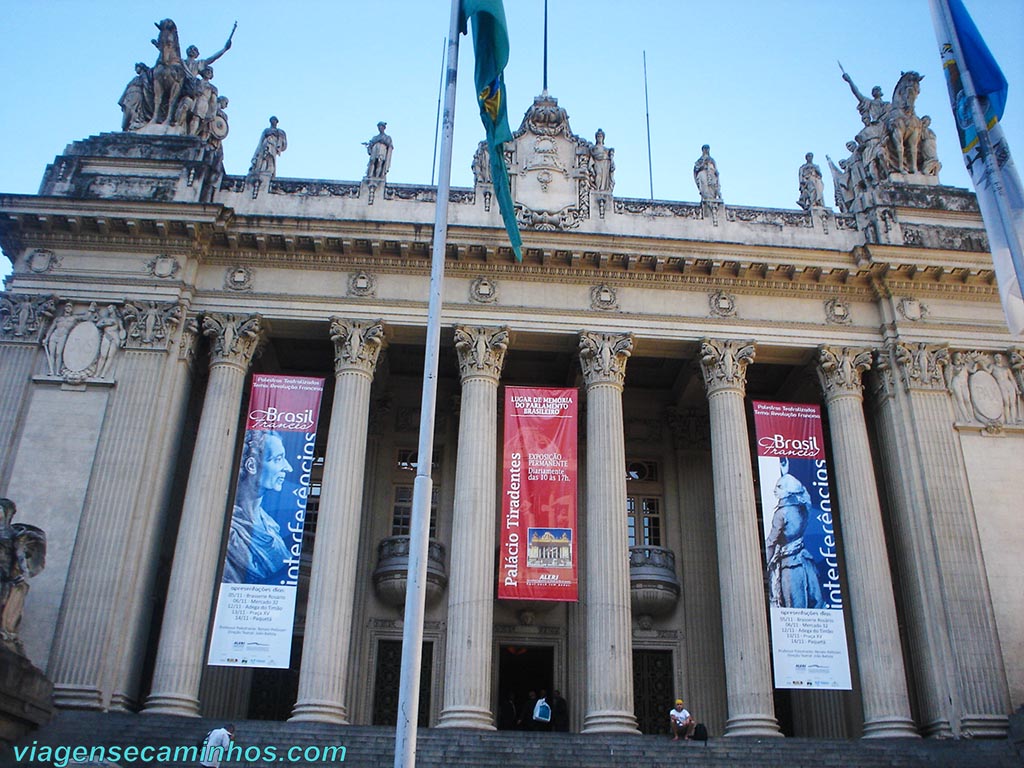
x: 368, y: 747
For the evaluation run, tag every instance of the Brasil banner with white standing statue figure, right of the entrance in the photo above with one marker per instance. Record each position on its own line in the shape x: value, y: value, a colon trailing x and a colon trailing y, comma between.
x: 805, y: 595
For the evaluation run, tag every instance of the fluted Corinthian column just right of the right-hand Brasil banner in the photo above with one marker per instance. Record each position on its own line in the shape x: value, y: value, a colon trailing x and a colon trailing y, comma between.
x: 883, y: 678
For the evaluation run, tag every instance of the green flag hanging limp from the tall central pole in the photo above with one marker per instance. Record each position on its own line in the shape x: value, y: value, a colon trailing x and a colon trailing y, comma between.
x: 491, y: 47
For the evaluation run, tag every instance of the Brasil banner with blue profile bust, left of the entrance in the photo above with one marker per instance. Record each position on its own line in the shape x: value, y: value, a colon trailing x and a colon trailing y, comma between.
x: 255, y: 611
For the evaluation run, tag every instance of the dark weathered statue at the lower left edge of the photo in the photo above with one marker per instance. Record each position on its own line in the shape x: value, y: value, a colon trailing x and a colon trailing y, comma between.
x: 23, y: 556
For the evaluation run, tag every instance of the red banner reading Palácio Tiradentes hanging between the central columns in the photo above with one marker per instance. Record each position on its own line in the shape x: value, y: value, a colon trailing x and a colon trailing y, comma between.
x: 539, y: 495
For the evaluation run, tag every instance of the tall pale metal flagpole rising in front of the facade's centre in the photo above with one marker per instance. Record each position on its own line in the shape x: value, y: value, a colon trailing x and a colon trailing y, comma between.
x: 416, y: 590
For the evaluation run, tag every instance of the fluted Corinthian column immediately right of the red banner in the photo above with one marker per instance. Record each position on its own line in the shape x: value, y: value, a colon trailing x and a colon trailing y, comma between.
x: 610, y: 629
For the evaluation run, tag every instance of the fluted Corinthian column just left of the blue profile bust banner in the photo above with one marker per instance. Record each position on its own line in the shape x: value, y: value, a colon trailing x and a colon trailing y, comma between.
x: 234, y: 342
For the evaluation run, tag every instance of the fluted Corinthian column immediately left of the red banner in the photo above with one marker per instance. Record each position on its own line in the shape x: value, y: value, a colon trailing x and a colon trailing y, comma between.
x: 467, y: 665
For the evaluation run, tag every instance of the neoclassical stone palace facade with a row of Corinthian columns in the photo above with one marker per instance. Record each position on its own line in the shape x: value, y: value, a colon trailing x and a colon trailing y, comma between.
x: 148, y: 288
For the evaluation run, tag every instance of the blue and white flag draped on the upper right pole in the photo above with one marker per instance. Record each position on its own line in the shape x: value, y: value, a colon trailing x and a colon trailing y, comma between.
x: 978, y: 96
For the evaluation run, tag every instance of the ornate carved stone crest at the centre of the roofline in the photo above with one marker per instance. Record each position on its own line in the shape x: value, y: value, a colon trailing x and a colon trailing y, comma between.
x: 549, y: 168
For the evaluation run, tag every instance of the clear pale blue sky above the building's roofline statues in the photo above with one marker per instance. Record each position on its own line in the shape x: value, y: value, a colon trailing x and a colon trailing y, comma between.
x: 757, y: 80
